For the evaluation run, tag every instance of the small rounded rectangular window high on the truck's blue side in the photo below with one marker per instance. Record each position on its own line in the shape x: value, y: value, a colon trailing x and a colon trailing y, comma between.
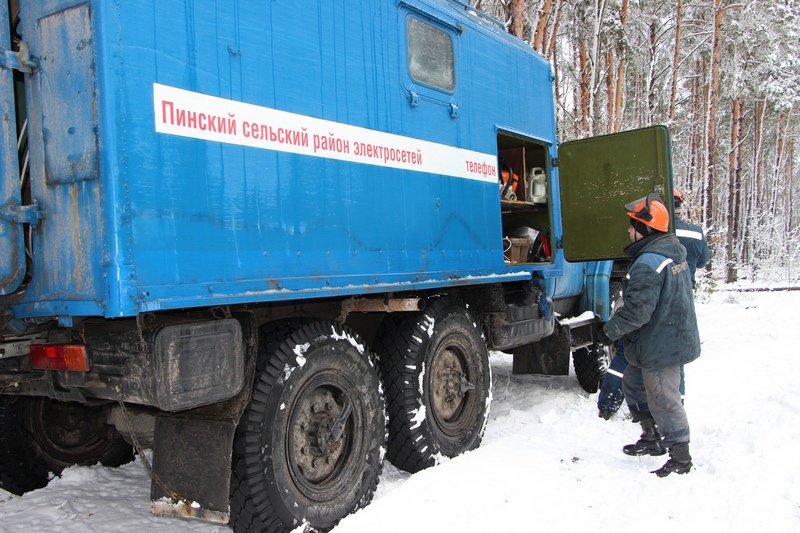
x: 430, y: 55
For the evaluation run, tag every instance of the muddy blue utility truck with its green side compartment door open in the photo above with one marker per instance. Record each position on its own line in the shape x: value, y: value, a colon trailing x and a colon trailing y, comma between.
x: 276, y: 242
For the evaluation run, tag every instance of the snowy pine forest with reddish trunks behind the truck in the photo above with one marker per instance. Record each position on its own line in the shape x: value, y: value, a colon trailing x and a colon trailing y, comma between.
x: 724, y: 75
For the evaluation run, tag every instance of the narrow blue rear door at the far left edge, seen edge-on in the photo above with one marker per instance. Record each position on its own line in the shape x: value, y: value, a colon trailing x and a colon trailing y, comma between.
x: 12, y: 243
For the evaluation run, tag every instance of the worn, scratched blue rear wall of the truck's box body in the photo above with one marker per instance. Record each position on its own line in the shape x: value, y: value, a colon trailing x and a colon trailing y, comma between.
x: 67, y: 254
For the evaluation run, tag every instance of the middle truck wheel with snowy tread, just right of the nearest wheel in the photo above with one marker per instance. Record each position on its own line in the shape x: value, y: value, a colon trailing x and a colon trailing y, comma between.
x: 437, y: 378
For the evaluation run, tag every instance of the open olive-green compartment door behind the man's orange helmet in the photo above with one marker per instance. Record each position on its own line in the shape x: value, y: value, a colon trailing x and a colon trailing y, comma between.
x: 598, y: 176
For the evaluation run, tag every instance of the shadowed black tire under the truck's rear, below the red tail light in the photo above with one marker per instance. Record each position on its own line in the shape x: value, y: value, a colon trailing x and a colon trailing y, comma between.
x: 39, y: 436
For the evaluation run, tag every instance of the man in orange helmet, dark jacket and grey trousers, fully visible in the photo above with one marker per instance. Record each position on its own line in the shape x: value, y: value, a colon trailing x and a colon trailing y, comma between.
x: 658, y: 326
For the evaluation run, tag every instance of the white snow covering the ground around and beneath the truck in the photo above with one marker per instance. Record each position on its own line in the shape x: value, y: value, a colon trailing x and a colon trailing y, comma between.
x: 547, y: 462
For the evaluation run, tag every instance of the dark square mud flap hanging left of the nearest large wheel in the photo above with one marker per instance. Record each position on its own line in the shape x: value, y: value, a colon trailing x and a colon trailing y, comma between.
x: 192, y: 459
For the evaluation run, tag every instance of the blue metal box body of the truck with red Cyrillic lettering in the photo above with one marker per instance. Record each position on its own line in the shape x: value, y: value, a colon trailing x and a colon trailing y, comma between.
x: 181, y: 220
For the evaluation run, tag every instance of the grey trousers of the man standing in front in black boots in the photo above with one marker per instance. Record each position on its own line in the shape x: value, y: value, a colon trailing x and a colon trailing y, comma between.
x: 657, y: 393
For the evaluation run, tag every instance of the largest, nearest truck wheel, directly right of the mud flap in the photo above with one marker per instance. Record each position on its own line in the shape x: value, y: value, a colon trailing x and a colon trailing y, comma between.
x: 309, y: 446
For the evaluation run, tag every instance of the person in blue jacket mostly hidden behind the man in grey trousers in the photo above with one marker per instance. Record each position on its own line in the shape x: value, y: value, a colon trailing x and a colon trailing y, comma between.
x: 610, y: 396
